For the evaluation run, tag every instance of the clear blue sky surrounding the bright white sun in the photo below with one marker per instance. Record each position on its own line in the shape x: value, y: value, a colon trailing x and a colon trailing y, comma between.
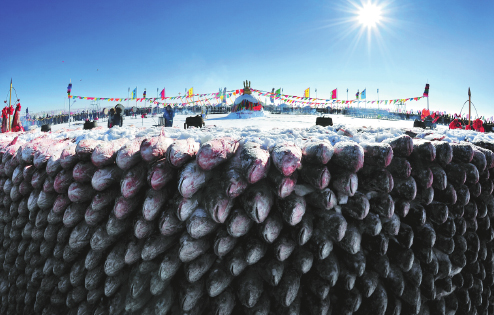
x: 106, y: 47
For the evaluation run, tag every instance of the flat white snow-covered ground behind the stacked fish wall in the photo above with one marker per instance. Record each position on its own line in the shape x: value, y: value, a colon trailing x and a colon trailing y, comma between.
x: 267, y: 130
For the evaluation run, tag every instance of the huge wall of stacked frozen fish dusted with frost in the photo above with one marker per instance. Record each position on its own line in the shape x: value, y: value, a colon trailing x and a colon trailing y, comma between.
x: 162, y: 226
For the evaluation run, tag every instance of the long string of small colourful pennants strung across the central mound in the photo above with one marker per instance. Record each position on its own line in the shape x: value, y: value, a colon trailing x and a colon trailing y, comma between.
x: 288, y: 99
